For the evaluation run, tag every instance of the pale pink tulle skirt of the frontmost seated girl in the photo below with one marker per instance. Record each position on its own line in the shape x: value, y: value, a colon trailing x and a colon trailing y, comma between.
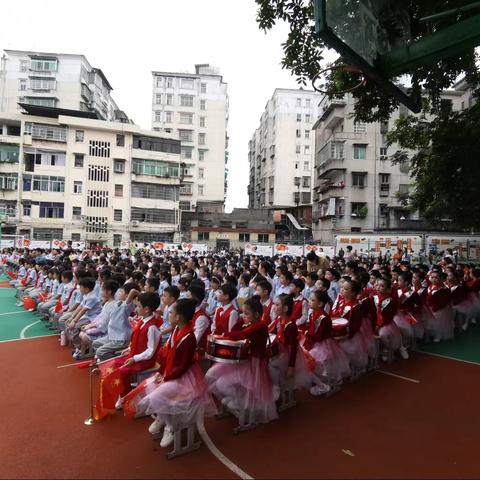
x: 178, y: 402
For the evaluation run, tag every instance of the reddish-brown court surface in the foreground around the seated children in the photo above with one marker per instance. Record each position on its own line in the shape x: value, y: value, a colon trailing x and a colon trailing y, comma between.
x: 426, y: 426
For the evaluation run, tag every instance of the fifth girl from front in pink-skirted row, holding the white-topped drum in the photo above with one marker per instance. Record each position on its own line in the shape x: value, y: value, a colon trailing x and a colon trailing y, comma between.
x: 347, y: 307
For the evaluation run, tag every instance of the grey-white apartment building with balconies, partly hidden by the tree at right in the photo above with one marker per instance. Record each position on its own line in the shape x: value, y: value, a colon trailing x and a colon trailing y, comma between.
x: 356, y: 187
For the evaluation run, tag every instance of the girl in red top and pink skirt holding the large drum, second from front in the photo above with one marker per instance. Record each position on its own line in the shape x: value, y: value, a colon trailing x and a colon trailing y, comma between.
x: 246, y: 386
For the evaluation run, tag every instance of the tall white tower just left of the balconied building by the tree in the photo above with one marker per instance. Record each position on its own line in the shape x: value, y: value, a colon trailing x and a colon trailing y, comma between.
x: 281, y: 150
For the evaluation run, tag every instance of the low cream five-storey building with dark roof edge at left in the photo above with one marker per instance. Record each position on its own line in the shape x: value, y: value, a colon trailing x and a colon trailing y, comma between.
x: 66, y: 175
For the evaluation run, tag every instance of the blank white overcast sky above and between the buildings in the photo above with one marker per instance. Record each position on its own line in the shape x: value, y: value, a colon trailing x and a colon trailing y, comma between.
x: 128, y: 40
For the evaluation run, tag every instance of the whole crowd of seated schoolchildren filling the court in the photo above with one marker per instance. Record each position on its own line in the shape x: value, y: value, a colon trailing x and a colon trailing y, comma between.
x: 309, y: 323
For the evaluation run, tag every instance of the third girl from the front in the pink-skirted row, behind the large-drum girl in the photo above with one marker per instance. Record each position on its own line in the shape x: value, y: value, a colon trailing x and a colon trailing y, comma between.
x: 290, y: 365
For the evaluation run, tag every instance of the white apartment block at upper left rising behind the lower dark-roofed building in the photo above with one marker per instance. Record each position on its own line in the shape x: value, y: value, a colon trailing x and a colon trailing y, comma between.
x: 57, y: 80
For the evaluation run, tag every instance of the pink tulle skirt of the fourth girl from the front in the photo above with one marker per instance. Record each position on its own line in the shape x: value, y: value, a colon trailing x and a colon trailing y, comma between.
x: 331, y: 361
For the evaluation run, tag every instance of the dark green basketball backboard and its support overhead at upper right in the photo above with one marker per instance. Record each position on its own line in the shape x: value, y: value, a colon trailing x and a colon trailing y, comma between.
x: 374, y: 35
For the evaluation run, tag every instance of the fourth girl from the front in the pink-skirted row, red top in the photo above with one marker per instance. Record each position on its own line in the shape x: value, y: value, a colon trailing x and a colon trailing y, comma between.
x: 331, y: 363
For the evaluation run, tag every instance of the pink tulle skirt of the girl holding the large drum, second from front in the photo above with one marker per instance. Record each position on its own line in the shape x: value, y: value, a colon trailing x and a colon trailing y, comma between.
x: 247, y: 384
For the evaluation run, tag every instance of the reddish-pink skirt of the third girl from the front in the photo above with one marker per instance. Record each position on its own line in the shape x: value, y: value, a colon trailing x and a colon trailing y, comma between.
x: 278, y: 365
